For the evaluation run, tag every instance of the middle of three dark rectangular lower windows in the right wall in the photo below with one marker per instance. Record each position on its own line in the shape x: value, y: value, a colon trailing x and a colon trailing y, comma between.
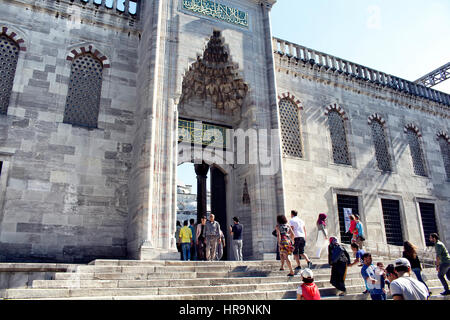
x: 392, y: 221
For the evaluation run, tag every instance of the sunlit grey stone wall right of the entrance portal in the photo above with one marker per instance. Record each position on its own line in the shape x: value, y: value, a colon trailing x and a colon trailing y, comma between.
x: 312, y: 182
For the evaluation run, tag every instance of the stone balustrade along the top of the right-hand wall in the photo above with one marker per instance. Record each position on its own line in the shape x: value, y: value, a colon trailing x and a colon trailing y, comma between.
x: 338, y: 65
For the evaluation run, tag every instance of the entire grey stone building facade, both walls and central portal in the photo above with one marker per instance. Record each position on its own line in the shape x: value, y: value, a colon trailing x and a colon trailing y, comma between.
x: 74, y: 194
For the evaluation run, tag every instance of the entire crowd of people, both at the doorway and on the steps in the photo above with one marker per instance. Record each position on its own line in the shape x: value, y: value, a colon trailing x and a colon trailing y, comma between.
x: 205, y: 241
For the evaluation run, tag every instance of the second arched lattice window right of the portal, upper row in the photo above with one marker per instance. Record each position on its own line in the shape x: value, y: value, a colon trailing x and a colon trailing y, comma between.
x: 338, y: 138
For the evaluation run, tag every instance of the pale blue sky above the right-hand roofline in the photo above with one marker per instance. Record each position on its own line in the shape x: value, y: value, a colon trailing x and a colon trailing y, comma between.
x: 405, y: 38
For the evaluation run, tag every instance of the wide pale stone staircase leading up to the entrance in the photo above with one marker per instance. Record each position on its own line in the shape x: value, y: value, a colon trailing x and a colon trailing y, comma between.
x: 192, y: 280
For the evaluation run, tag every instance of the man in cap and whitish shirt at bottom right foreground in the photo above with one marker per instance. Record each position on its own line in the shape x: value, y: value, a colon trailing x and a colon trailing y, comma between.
x: 405, y: 287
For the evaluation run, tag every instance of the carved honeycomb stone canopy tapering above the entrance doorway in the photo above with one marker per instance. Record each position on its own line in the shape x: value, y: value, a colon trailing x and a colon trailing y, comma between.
x: 215, y: 76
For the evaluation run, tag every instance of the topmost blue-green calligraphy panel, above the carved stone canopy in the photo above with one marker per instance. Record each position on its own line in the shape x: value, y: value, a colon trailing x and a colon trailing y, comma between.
x: 216, y: 10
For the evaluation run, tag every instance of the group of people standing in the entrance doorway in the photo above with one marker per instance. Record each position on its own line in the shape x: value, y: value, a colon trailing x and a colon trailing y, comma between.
x: 205, y: 240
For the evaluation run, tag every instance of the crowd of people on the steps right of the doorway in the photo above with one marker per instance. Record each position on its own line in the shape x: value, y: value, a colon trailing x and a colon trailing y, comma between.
x: 379, y: 280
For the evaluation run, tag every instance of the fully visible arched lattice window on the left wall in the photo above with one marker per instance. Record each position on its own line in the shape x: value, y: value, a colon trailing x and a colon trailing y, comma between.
x: 85, y: 86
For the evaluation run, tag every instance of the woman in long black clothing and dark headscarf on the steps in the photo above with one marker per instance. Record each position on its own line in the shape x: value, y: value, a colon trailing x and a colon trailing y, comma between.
x: 338, y: 259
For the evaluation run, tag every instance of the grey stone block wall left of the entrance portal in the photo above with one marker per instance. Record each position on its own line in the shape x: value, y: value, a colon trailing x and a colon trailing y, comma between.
x: 67, y: 187
